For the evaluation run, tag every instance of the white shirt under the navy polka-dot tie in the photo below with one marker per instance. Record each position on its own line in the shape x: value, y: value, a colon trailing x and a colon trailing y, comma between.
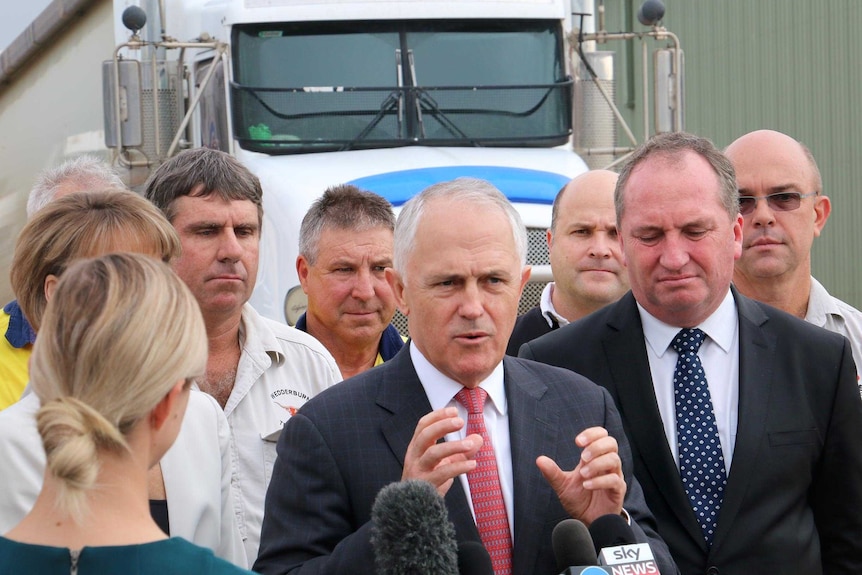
x: 719, y: 354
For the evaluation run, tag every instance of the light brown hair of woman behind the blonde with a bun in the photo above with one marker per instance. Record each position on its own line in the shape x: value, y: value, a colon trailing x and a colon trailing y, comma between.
x: 84, y: 224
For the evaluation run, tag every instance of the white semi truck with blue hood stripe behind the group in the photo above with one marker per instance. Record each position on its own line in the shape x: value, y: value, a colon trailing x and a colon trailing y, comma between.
x: 390, y: 95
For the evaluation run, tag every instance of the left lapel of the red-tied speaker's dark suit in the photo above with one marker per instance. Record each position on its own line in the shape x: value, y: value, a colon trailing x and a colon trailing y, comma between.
x: 402, y: 395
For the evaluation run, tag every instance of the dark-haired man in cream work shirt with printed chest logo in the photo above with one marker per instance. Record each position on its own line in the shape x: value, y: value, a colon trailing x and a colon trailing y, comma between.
x: 260, y: 371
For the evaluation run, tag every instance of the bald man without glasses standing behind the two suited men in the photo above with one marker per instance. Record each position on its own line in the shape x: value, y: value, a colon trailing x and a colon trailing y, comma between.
x: 586, y: 260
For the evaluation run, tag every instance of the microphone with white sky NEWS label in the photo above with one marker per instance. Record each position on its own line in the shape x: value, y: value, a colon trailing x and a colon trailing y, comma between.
x: 618, y: 549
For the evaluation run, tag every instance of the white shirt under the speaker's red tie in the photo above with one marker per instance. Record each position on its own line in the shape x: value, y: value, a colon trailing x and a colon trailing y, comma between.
x: 441, y: 390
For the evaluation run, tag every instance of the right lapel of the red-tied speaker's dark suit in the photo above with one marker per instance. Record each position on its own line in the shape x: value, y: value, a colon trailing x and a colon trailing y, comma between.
x: 531, y: 435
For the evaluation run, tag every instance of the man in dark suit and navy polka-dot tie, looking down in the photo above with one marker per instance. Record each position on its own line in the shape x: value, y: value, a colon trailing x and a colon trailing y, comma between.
x: 782, y: 399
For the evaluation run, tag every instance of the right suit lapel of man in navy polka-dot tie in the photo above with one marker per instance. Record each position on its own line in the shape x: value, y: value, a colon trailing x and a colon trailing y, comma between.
x: 757, y: 345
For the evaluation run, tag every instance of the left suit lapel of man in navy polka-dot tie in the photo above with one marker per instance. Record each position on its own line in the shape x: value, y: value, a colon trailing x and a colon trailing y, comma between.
x: 626, y: 354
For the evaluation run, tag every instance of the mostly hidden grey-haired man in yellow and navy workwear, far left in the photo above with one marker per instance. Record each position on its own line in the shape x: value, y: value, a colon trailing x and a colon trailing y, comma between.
x: 84, y: 173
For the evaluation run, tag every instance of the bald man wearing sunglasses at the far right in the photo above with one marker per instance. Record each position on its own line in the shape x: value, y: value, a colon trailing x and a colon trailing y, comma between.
x: 783, y: 209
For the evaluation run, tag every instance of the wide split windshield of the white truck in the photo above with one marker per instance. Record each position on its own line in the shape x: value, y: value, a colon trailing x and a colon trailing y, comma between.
x: 309, y: 87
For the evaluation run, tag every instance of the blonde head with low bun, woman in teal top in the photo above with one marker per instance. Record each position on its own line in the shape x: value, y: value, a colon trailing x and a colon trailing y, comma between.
x: 117, y: 335
